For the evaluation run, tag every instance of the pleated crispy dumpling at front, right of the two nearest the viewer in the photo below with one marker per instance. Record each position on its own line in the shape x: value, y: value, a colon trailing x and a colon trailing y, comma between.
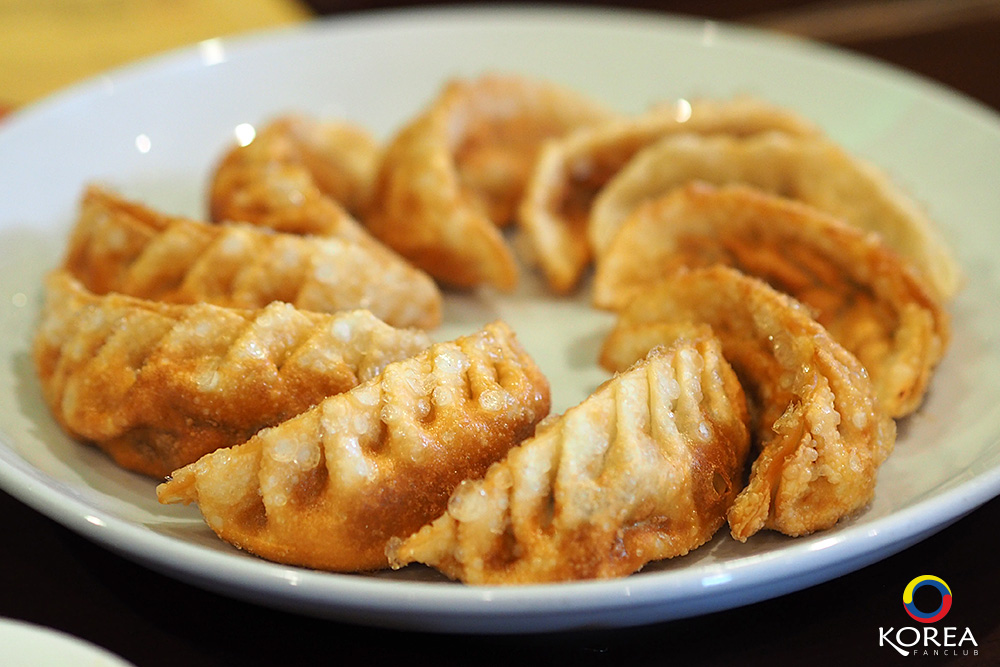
x: 644, y: 469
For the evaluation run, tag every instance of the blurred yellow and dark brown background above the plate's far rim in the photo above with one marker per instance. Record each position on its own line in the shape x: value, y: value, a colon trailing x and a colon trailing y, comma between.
x: 46, y: 45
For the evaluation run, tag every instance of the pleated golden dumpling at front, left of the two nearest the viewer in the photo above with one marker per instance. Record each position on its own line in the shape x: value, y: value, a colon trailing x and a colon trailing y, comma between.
x: 329, y: 488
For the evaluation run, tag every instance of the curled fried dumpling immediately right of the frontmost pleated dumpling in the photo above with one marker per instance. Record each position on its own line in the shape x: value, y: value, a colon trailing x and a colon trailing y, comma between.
x: 817, y: 422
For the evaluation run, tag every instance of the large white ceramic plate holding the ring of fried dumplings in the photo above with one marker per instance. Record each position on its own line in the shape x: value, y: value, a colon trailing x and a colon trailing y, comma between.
x: 154, y: 130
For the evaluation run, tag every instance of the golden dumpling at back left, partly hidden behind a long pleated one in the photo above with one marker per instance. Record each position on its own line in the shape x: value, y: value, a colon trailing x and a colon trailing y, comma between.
x: 298, y: 175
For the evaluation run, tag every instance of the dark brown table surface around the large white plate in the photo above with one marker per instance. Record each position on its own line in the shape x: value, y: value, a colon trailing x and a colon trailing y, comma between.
x: 52, y: 577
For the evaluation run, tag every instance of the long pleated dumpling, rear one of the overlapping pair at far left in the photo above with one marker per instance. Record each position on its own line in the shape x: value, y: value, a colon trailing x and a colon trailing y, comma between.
x: 122, y: 246
